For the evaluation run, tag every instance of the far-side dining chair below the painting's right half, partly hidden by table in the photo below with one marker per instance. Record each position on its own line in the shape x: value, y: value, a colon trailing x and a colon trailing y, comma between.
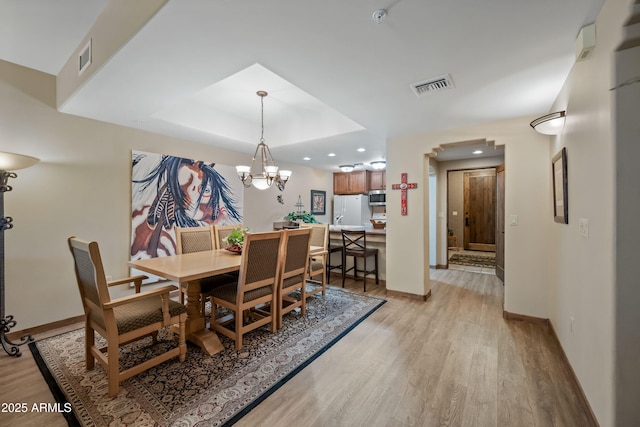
x: 199, y: 239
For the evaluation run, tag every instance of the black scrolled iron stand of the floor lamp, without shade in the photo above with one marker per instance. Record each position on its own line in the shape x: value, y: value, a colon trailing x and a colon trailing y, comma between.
x: 7, y: 322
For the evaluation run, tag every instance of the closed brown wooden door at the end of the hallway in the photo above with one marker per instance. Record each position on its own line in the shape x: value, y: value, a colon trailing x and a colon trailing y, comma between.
x: 480, y: 210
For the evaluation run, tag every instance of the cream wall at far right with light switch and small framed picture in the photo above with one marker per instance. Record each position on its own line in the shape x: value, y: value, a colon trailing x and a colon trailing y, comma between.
x: 583, y: 275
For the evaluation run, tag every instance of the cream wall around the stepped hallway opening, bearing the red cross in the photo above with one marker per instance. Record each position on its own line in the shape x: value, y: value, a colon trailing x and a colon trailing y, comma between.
x: 527, y: 194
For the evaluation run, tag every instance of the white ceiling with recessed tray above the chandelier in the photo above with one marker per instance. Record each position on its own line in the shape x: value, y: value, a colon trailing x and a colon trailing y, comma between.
x: 507, y: 58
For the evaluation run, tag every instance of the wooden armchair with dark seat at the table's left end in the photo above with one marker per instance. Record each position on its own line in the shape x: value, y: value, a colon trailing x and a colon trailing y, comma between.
x: 122, y: 320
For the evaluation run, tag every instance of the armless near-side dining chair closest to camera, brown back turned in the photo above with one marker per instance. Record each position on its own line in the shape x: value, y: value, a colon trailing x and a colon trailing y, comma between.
x: 256, y: 287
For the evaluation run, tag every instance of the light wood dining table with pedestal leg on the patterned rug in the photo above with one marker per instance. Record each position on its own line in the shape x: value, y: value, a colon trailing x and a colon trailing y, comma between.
x: 187, y: 270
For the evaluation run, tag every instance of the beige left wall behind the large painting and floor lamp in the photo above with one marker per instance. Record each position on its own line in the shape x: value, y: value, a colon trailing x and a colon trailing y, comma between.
x: 82, y: 187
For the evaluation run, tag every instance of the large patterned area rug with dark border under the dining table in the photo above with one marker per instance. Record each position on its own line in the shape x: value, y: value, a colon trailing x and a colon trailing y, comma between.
x: 204, y: 390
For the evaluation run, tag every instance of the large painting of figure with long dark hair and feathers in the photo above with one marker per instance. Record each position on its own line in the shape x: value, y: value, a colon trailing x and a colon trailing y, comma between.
x: 169, y: 192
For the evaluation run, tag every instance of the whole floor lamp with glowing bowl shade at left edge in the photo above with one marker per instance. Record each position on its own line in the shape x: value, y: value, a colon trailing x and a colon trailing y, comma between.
x: 9, y: 162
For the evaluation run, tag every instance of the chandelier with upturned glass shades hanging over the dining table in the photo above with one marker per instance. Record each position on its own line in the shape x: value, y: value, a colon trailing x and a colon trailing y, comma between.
x: 268, y: 173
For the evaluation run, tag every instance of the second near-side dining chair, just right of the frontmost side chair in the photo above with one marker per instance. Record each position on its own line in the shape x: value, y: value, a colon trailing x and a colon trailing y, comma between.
x: 294, y: 272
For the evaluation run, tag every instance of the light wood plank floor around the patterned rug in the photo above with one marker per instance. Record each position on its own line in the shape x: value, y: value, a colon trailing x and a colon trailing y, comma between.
x: 450, y: 361
